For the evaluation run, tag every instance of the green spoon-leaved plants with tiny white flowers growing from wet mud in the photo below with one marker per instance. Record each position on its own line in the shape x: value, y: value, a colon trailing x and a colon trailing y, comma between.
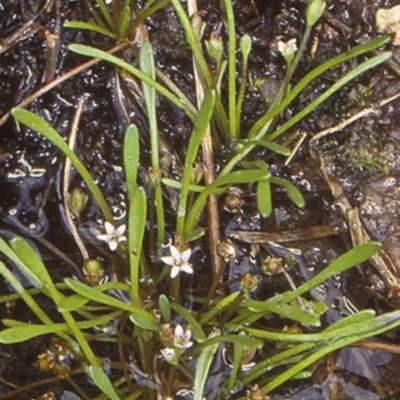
x: 144, y: 297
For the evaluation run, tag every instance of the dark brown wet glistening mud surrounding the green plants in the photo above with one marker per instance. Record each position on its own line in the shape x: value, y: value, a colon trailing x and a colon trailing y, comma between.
x: 363, y: 158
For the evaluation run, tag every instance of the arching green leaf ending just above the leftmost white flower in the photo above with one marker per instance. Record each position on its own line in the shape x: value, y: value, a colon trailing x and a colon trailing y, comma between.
x: 36, y: 123
